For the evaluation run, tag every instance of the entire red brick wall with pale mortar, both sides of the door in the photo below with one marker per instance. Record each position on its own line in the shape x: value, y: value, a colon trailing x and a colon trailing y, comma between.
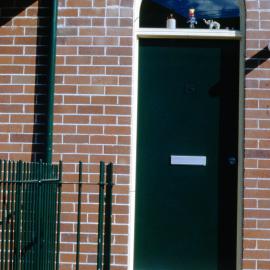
x: 93, y: 110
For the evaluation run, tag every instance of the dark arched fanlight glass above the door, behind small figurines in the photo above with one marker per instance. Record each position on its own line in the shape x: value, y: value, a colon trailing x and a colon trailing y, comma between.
x: 153, y: 13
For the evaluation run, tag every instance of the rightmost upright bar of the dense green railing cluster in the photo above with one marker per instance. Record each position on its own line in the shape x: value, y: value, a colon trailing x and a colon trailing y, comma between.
x: 59, y: 214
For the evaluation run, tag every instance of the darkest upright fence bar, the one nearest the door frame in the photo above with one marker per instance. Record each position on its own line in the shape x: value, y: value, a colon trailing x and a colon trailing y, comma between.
x: 108, y: 218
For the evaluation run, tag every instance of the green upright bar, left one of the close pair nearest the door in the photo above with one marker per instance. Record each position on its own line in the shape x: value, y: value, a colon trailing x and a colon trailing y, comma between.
x: 100, y: 216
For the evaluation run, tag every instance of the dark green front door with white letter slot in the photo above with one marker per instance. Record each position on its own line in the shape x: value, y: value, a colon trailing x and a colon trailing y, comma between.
x: 188, y: 113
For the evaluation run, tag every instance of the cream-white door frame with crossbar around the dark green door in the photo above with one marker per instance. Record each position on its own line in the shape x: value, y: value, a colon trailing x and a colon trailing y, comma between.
x: 140, y: 33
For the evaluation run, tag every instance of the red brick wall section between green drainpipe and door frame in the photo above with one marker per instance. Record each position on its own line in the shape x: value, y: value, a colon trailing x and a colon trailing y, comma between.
x: 92, y: 111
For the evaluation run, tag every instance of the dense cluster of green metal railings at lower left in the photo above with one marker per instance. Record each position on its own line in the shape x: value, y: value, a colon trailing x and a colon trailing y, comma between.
x: 28, y: 213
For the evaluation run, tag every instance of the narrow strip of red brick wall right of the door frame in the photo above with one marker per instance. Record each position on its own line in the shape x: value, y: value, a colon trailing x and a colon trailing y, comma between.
x: 257, y: 139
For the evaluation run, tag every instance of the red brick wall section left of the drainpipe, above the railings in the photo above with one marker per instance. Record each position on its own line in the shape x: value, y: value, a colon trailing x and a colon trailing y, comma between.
x: 21, y: 89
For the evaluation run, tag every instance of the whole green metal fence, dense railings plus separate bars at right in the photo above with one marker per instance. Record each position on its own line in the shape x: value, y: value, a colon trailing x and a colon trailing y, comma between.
x: 30, y: 215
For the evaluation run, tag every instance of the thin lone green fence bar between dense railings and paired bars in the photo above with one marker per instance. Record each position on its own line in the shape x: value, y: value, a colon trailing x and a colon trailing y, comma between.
x: 79, y: 217
